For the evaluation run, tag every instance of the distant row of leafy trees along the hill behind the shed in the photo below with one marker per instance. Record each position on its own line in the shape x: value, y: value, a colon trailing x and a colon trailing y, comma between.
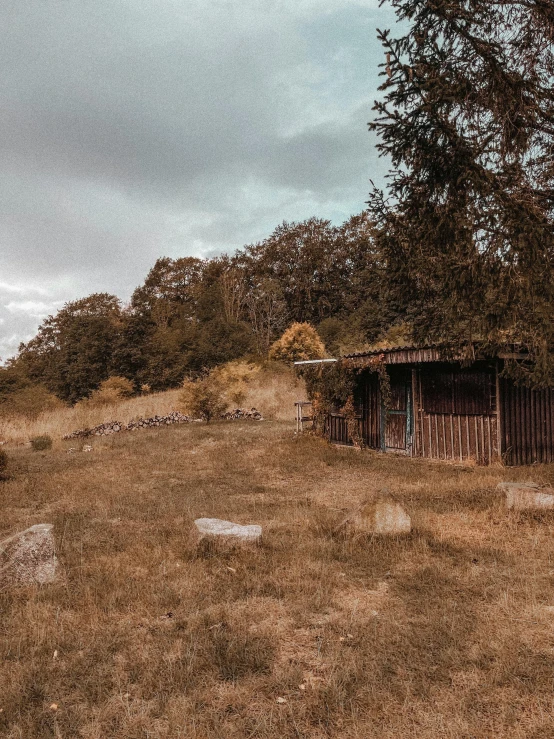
x: 192, y: 314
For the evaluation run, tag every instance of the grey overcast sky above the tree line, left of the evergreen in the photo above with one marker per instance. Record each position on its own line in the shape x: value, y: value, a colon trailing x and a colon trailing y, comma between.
x: 135, y: 129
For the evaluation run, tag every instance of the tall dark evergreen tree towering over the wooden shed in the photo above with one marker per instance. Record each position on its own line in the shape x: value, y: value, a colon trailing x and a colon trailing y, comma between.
x: 467, y: 119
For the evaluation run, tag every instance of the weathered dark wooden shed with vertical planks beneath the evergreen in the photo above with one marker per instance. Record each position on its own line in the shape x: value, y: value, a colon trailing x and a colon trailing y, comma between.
x: 447, y: 410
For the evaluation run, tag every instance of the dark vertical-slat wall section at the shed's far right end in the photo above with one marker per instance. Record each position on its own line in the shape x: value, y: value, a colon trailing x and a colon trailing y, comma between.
x: 527, y: 424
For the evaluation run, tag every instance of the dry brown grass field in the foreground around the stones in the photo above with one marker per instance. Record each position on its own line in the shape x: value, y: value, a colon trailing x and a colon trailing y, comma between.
x: 446, y: 632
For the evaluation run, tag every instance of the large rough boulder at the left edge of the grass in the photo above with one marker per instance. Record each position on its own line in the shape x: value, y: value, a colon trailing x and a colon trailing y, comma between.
x: 29, y: 557
